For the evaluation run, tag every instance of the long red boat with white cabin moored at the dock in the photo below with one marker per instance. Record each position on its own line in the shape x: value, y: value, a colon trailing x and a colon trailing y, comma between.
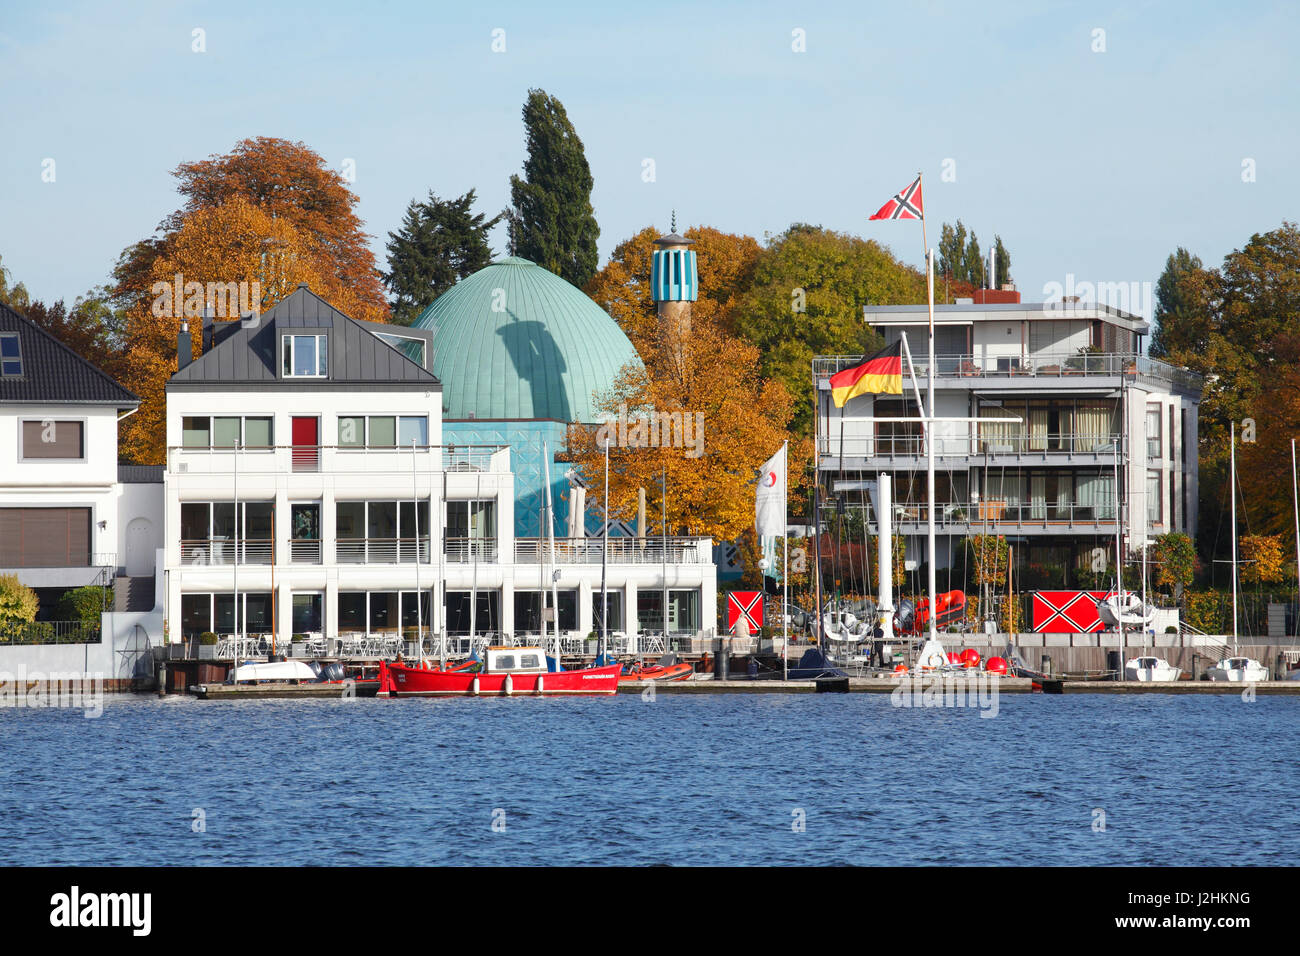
x: 506, y: 672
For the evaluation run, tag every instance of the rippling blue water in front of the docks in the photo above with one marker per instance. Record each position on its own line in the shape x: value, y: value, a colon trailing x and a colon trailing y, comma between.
x: 681, y: 780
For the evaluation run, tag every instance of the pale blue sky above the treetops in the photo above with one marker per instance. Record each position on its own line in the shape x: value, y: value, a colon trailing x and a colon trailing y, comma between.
x: 1094, y: 139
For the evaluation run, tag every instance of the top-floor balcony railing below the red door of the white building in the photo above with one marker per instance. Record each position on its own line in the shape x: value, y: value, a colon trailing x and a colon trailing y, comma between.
x: 339, y: 460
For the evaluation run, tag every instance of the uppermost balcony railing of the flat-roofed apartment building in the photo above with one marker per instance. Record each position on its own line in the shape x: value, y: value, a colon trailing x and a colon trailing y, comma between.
x: 1037, y: 366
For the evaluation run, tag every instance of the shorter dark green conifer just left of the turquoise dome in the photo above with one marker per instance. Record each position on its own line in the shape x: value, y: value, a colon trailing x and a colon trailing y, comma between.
x: 440, y: 241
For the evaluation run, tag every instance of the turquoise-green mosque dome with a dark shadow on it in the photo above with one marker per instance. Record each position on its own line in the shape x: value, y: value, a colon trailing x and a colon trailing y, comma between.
x: 515, y: 341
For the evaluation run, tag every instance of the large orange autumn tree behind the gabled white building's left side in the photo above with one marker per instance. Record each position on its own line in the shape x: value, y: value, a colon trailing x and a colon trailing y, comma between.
x: 268, y: 214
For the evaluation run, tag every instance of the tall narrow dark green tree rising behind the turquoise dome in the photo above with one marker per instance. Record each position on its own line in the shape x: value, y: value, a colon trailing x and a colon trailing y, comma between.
x: 552, y: 220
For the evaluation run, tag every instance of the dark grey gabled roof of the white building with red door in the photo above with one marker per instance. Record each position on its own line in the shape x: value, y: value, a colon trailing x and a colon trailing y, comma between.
x: 245, y: 353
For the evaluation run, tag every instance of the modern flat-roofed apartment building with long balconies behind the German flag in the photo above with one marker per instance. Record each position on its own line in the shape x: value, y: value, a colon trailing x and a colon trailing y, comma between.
x: 1060, y: 391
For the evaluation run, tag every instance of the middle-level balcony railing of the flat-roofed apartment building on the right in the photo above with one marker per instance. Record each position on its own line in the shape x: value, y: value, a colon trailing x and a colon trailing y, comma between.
x: 1033, y: 447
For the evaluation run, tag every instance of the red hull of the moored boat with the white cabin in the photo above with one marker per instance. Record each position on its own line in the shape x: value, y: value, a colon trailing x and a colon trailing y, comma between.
x: 400, y: 681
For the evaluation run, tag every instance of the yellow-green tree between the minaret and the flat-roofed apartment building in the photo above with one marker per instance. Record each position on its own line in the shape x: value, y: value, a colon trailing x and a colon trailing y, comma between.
x: 807, y: 300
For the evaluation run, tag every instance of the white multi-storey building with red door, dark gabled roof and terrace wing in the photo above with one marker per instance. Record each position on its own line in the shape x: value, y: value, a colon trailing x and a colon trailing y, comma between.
x: 310, y: 491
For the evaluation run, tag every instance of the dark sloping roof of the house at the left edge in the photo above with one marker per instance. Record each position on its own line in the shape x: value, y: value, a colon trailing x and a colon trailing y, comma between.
x: 53, y: 373
